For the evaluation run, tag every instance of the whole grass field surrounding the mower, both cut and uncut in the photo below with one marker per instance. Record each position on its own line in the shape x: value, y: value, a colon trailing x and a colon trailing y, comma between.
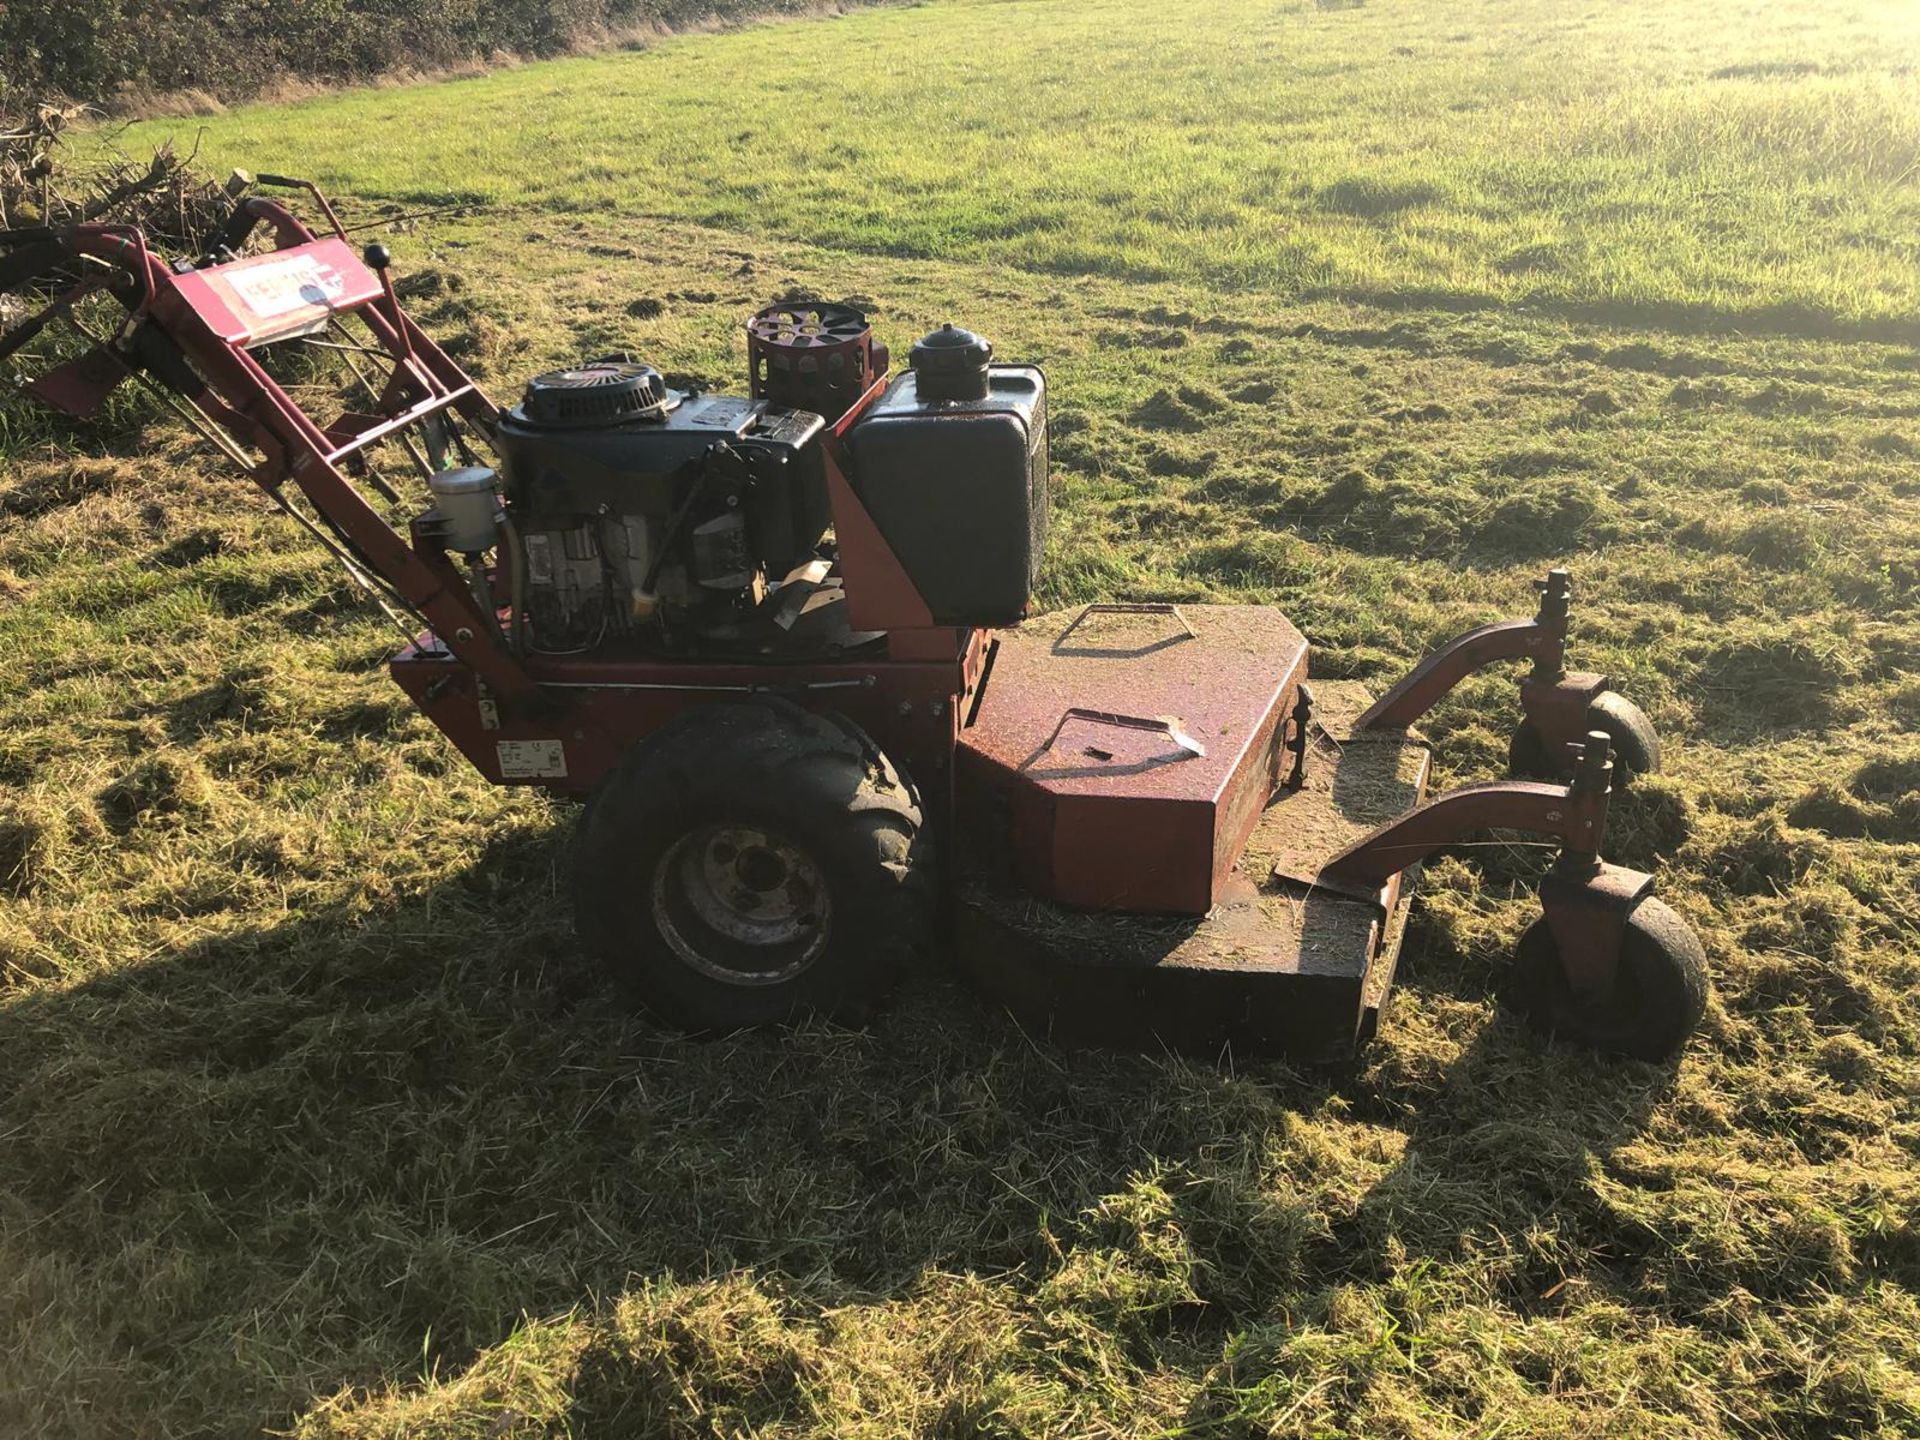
x: 314, y: 1118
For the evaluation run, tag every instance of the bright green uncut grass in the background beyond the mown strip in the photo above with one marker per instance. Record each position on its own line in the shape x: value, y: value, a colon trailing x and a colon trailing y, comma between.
x: 1692, y: 160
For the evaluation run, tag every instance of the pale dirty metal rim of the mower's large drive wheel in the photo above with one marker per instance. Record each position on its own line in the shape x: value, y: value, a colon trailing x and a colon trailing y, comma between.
x: 742, y: 905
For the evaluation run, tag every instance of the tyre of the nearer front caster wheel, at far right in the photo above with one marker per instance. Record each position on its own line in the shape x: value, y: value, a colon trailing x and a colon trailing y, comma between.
x: 1658, y: 997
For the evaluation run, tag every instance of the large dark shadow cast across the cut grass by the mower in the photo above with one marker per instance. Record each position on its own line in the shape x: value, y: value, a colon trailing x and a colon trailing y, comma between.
x: 370, y: 1143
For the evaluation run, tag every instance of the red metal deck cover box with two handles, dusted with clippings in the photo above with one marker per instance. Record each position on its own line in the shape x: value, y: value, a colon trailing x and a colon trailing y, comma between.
x: 1140, y: 740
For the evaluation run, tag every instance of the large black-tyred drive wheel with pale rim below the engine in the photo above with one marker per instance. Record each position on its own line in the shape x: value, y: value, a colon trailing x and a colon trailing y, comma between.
x: 752, y: 863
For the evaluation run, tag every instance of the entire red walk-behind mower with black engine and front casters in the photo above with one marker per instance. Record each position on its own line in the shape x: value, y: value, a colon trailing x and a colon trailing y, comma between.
x: 780, y: 644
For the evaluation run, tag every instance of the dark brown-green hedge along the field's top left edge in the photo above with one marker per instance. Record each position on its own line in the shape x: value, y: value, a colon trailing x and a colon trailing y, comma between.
x: 105, y: 51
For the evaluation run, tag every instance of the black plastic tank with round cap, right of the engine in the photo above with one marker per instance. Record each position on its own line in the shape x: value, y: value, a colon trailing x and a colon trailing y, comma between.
x: 951, y: 464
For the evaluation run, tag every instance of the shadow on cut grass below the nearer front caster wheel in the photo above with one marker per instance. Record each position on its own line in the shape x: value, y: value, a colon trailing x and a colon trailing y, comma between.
x: 1489, y: 1218
